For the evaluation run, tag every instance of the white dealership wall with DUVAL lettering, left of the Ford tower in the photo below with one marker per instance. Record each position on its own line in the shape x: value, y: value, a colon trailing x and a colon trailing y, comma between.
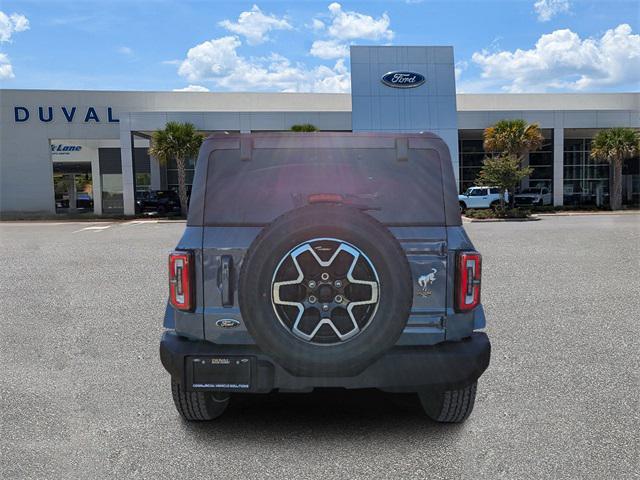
x: 26, y: 179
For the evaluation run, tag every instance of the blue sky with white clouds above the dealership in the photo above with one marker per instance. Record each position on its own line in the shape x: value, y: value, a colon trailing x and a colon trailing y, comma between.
x: 500, y: 46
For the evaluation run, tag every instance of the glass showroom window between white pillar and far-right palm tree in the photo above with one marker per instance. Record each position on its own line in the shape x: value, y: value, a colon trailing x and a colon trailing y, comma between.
x: 586, y: 181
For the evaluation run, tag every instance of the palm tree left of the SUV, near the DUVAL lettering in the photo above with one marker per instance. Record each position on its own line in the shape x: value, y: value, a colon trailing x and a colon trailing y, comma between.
x: 179, y: 141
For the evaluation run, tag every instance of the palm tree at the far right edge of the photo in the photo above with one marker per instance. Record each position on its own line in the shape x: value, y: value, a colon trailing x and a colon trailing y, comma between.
x: 614, y: 146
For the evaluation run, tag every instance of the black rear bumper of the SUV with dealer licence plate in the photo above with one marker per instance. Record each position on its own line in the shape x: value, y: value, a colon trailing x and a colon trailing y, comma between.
x: 246, y: 368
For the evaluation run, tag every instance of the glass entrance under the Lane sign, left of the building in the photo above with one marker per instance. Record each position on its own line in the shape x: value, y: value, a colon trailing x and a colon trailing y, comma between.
x: 73, y: 187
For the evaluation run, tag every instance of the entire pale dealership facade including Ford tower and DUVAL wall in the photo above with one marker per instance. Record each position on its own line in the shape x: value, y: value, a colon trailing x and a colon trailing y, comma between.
x: 26, y: 182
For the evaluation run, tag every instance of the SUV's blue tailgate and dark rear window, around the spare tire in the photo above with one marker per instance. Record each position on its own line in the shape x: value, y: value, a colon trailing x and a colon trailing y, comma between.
x: 406, y: 182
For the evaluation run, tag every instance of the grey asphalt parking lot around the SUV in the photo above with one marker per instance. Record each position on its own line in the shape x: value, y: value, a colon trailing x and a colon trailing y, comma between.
x: 83, y: 394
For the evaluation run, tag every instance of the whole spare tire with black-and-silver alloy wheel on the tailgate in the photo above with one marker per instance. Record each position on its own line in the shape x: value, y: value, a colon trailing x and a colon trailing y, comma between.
x: 325, y: 290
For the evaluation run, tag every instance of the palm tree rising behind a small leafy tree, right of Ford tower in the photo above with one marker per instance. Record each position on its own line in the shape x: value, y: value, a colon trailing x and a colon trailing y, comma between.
x: 513, y: 139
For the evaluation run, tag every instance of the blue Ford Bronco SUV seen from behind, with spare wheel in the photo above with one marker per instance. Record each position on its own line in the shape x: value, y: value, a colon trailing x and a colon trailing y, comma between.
x: 324, y: 260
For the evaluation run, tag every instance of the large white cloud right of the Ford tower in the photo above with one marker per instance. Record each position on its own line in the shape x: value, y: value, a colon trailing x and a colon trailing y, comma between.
x: 562, y: 60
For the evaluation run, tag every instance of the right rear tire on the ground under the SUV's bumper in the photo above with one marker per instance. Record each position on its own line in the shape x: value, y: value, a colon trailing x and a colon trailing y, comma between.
x: 450, y: 406
